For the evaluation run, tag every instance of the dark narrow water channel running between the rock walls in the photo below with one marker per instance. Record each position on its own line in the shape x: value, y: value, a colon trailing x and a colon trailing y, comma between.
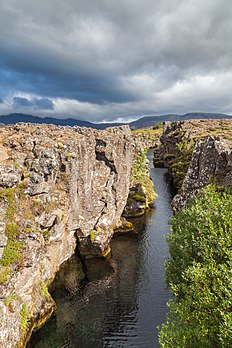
x: 118, y: 302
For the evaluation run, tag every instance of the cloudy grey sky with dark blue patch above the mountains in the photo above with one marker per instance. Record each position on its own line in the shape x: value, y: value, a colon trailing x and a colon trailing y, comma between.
x: 108, y: 60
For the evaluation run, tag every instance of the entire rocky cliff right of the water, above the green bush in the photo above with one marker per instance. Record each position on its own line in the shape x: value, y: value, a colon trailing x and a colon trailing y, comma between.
x: 196, y: 153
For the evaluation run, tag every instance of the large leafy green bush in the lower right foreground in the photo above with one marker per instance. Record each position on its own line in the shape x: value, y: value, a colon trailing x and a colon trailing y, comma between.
x: 199, y: 273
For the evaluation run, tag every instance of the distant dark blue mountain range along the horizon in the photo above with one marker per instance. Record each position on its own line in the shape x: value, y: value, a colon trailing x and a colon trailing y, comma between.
x: 147, y: 121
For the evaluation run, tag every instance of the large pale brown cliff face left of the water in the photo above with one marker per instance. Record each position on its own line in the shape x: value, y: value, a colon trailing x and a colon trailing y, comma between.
x: 58, y: 186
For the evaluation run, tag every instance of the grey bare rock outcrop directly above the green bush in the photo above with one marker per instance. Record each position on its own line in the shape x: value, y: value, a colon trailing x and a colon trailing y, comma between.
x: 211, y: 163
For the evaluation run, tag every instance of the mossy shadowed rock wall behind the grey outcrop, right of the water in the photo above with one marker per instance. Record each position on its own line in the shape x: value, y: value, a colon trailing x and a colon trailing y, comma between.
x: 178, y: 140
